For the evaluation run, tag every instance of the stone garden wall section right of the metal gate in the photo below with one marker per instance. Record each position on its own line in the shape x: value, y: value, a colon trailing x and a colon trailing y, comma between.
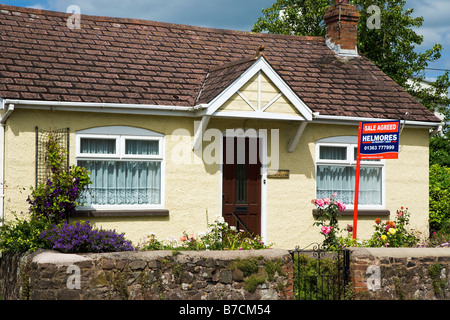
x: 401, y: 273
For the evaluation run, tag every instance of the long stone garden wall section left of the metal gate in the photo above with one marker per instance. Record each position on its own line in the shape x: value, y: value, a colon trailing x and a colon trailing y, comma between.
x: 153, y: 275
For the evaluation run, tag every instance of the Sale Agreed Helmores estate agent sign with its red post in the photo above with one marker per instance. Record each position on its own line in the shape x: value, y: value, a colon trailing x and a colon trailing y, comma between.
x: 376, y: 140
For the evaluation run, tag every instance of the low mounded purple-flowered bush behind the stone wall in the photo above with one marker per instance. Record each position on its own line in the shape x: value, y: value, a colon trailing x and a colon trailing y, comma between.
x: 82, y: 237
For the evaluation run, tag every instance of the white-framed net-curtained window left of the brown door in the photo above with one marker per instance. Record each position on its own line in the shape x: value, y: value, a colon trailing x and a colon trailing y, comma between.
x: 126, y: 167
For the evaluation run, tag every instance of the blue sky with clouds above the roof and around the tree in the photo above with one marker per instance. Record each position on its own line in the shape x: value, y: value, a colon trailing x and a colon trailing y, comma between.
x: 241, y: 15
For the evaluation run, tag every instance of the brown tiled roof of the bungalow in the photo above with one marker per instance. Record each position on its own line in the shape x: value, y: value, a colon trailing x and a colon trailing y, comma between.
x: 117, y: 60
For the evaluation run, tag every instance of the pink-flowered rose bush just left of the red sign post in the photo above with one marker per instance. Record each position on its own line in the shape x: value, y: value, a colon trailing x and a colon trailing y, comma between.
x: 328, y: 210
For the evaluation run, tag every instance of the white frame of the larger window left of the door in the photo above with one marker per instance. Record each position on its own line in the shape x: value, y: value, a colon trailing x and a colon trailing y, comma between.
x: 123, y: 134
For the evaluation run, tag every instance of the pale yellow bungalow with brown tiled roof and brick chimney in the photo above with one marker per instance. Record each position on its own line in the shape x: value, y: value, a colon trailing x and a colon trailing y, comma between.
x: 178, y: 124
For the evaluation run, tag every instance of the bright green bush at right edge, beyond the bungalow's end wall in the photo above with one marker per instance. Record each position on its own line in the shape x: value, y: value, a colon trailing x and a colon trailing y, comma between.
x: 439, y: 196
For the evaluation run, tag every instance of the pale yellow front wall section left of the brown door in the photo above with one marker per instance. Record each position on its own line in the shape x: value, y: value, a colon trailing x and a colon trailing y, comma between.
x: 182, y: 200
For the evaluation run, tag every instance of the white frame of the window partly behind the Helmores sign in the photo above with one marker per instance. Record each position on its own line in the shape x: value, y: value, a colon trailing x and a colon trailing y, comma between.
x: 350, y: 142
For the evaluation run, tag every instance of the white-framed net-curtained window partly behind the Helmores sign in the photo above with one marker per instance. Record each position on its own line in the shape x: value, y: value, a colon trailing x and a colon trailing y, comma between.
x: 336, y: 170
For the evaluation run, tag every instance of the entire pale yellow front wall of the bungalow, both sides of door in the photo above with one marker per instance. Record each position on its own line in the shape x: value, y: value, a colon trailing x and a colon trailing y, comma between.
x: 192, y: 188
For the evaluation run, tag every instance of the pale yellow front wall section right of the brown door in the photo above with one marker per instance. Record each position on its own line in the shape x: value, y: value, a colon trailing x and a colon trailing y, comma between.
x: 289, y: 207
